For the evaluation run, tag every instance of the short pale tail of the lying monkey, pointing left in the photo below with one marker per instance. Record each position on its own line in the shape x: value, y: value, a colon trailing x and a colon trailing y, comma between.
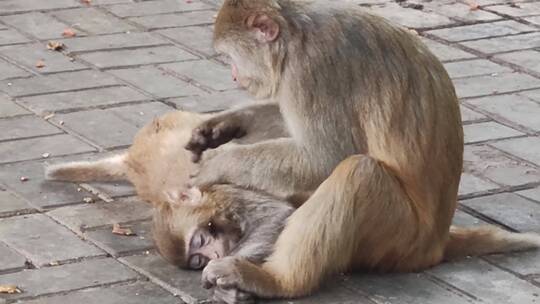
x: 112, y: 168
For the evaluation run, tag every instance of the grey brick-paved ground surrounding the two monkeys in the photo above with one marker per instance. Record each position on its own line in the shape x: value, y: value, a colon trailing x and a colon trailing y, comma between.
x: 133, y: 60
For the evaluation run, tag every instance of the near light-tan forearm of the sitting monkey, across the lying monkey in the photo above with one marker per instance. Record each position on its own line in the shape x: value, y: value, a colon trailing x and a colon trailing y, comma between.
x: 279, y: 167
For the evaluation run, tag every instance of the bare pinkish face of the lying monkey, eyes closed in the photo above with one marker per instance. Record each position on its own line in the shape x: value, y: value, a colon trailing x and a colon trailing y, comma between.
x: 206, y: 244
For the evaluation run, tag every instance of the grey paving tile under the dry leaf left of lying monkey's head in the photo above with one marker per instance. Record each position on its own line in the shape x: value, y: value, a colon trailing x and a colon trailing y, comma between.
x: 118, y: 245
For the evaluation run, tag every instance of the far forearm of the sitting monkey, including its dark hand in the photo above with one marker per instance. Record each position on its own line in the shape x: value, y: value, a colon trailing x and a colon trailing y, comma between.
x: 252, y: 123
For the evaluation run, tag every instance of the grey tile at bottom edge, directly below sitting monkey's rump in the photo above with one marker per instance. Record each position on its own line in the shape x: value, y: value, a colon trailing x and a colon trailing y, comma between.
x: 405, y: 289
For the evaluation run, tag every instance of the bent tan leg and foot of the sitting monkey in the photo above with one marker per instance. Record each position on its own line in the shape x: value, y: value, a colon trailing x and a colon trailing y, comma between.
x: 358, y: 217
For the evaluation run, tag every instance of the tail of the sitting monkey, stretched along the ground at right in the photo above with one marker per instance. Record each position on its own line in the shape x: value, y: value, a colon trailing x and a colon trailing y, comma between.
x: 478, y: 241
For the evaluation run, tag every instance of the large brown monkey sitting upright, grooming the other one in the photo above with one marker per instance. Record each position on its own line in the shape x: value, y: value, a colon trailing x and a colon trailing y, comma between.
x: 376, y: 136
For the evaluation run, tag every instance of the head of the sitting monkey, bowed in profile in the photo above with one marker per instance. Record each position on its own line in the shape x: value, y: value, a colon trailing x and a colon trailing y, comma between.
x: 250, y: 33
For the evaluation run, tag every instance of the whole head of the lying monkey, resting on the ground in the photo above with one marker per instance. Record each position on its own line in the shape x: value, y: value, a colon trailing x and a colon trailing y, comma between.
x: 200, y: 227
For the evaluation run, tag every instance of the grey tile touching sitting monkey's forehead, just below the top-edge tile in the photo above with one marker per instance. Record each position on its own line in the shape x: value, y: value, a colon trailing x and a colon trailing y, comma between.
x: 175, y: 20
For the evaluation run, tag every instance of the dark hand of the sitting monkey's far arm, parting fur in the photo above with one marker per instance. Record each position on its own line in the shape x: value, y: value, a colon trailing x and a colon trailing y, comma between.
x: 215, y: 132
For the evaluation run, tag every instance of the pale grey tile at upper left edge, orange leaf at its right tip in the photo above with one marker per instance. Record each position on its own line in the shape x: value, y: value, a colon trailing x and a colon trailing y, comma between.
x: 38, y: 24
